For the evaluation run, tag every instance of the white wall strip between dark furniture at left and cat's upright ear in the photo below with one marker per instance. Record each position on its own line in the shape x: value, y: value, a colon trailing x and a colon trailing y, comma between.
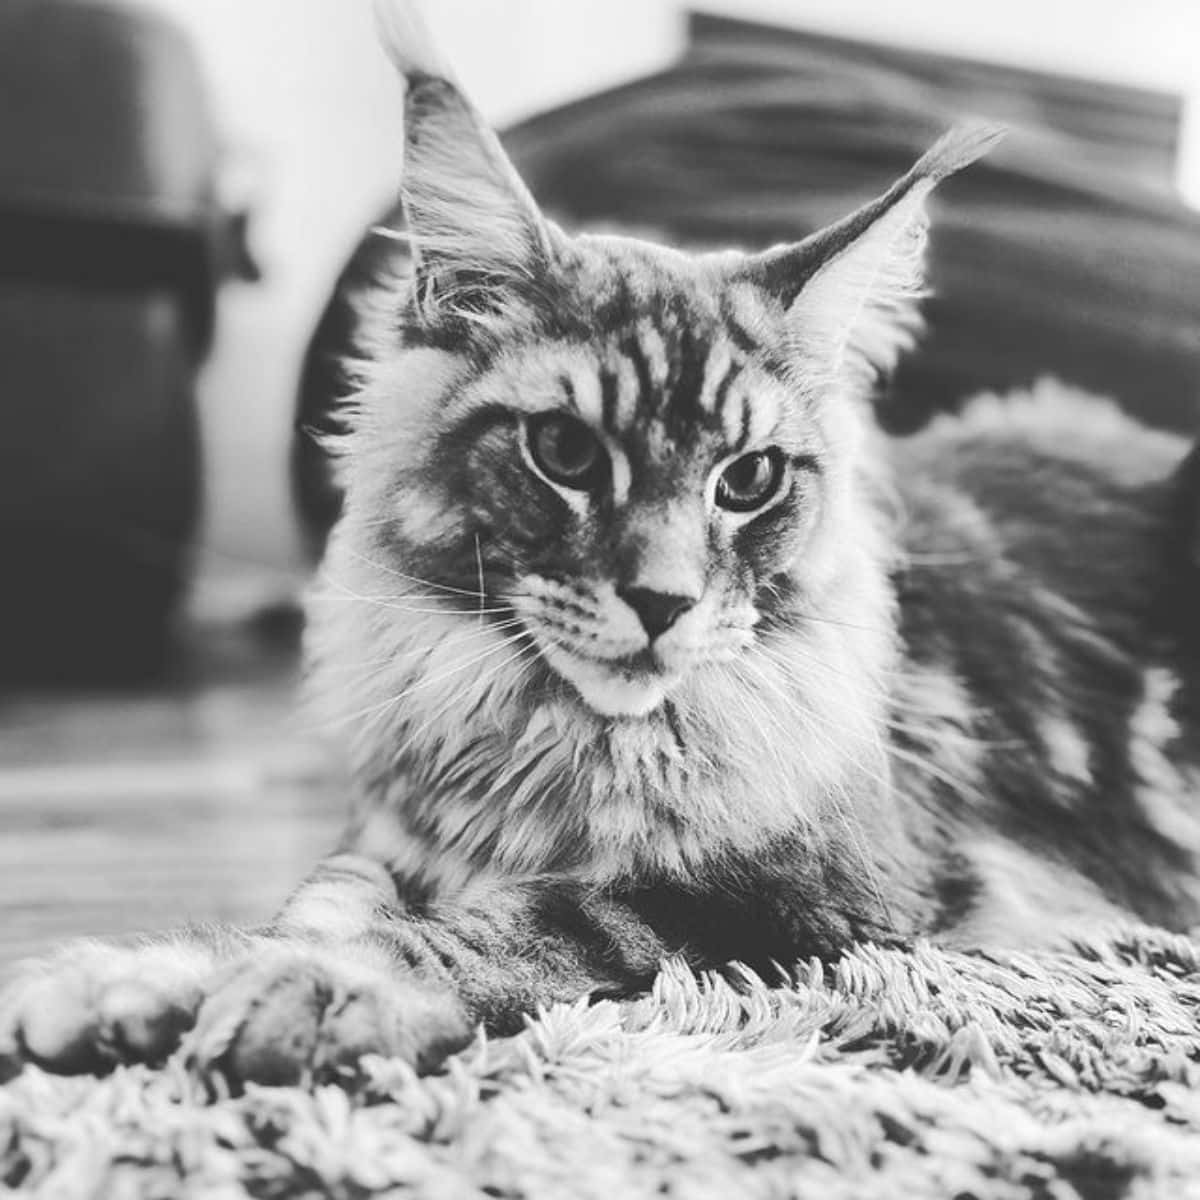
x: 313, y: 121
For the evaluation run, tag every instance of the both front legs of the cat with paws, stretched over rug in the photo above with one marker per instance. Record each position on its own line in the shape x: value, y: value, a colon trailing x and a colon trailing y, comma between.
x: 346, y: 970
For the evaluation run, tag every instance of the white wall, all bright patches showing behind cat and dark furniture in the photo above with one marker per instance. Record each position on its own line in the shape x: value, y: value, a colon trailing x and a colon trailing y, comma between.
x: 314, y: 116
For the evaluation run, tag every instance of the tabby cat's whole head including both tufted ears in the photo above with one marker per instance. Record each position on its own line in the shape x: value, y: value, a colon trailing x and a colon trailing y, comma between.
x: 640, y: 459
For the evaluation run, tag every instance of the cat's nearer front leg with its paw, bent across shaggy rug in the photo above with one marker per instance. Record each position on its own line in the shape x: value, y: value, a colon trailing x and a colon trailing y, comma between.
x: 356, y: 970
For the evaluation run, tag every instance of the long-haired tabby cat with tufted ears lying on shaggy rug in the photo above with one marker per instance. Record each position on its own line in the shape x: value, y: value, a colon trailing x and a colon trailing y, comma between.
x: 645, y: 644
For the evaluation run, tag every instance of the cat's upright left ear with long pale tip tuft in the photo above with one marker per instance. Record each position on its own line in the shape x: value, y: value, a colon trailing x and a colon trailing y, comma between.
x: 476, y: 232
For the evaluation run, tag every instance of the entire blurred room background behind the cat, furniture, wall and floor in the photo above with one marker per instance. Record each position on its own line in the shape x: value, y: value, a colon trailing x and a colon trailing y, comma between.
x: 190, y: 193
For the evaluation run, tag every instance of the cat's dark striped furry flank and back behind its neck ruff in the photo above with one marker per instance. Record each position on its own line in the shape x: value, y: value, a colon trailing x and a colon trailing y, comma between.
x: 1047, y: 602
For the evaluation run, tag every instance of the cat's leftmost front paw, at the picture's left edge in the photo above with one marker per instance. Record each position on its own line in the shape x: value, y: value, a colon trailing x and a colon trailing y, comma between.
x: 92, y: 1006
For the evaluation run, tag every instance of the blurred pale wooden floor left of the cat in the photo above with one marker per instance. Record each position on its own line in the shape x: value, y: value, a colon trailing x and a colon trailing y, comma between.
x: 206, y: 799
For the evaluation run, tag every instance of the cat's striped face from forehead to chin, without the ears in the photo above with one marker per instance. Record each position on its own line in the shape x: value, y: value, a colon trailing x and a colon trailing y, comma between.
x: 633, y: 473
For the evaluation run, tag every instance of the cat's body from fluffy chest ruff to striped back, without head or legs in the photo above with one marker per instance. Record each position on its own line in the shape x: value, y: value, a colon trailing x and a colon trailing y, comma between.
x: 1031, y: 767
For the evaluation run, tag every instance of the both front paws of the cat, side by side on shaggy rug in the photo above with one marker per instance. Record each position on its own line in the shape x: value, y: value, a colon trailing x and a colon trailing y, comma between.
x: 269, y: 1012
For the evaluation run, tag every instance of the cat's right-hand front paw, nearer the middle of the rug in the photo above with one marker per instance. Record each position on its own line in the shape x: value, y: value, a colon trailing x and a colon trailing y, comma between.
x: 301, y: 1013
